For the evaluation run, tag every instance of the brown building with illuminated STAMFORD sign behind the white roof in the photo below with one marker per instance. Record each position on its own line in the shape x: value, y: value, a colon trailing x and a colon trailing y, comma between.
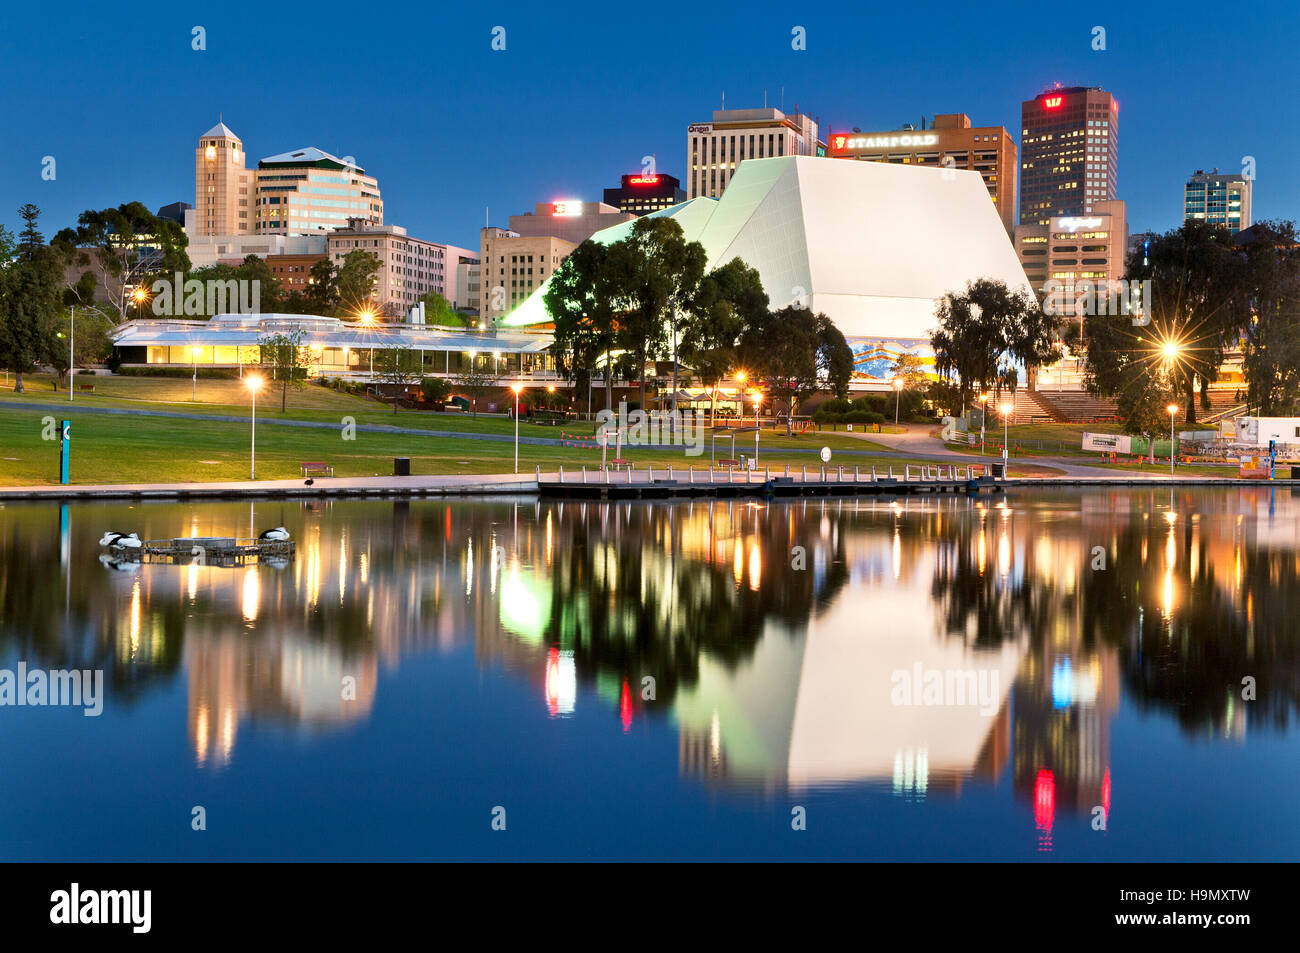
x: 950, y: 142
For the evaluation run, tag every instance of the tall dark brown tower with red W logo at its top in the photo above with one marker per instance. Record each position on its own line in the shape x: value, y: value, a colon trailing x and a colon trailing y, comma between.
x: 1069, y: 153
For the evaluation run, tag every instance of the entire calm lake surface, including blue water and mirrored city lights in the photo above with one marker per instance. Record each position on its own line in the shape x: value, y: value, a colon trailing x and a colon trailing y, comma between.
x: 505, y: 656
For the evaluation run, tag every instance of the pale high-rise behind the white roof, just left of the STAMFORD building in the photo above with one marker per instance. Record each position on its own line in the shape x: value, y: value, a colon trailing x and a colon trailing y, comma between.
x: 714, y: 150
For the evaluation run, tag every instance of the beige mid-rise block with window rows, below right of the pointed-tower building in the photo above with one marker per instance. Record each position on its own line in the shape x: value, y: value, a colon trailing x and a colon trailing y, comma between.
x: 410, y: 268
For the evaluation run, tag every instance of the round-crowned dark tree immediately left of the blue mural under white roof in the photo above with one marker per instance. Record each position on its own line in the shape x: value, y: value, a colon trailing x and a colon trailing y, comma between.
x: 796, y: 354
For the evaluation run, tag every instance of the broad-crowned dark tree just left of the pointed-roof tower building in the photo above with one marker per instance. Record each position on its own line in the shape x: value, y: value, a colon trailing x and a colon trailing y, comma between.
x: 125, y: 248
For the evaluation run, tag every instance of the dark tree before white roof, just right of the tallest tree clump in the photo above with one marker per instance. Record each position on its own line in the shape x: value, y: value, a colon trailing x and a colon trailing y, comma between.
x: 730, y: 302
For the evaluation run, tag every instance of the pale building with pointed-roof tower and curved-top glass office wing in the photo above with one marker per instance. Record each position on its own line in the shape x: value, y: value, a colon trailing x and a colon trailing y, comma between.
x: 302, y: 193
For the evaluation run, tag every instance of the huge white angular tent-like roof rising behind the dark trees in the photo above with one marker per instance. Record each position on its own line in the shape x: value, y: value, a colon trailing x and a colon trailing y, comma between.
x: 873, y: 245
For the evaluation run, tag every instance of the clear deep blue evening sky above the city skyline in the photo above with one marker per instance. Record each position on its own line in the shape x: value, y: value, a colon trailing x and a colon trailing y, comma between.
x: 583, y: 92
